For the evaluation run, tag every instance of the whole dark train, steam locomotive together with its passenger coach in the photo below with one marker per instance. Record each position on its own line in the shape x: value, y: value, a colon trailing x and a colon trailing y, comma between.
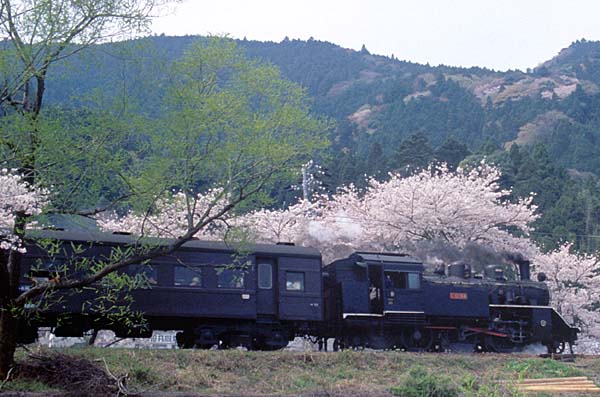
x: 262, y: 300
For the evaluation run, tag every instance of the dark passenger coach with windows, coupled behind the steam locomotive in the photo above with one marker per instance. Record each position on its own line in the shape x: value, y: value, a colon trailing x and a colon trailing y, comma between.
x: 210, y: 291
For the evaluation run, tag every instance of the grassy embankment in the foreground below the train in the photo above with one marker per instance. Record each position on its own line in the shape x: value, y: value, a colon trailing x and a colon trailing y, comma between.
x: 344, y: 373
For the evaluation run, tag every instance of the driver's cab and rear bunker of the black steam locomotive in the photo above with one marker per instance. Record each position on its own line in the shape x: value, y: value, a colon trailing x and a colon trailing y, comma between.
x: 370, y: 294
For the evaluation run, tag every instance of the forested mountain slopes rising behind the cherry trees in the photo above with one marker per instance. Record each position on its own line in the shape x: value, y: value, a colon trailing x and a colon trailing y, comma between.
x: 541, y: 126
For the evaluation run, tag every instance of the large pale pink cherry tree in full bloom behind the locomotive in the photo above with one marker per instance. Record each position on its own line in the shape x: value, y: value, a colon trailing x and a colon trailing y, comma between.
x: 462, y: 207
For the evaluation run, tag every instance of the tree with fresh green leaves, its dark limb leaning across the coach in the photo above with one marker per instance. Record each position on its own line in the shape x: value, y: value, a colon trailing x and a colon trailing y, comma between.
x: 231, y: 124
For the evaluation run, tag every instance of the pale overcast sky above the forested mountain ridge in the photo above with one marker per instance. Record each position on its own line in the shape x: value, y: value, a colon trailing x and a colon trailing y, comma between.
x: 498, y: 34
